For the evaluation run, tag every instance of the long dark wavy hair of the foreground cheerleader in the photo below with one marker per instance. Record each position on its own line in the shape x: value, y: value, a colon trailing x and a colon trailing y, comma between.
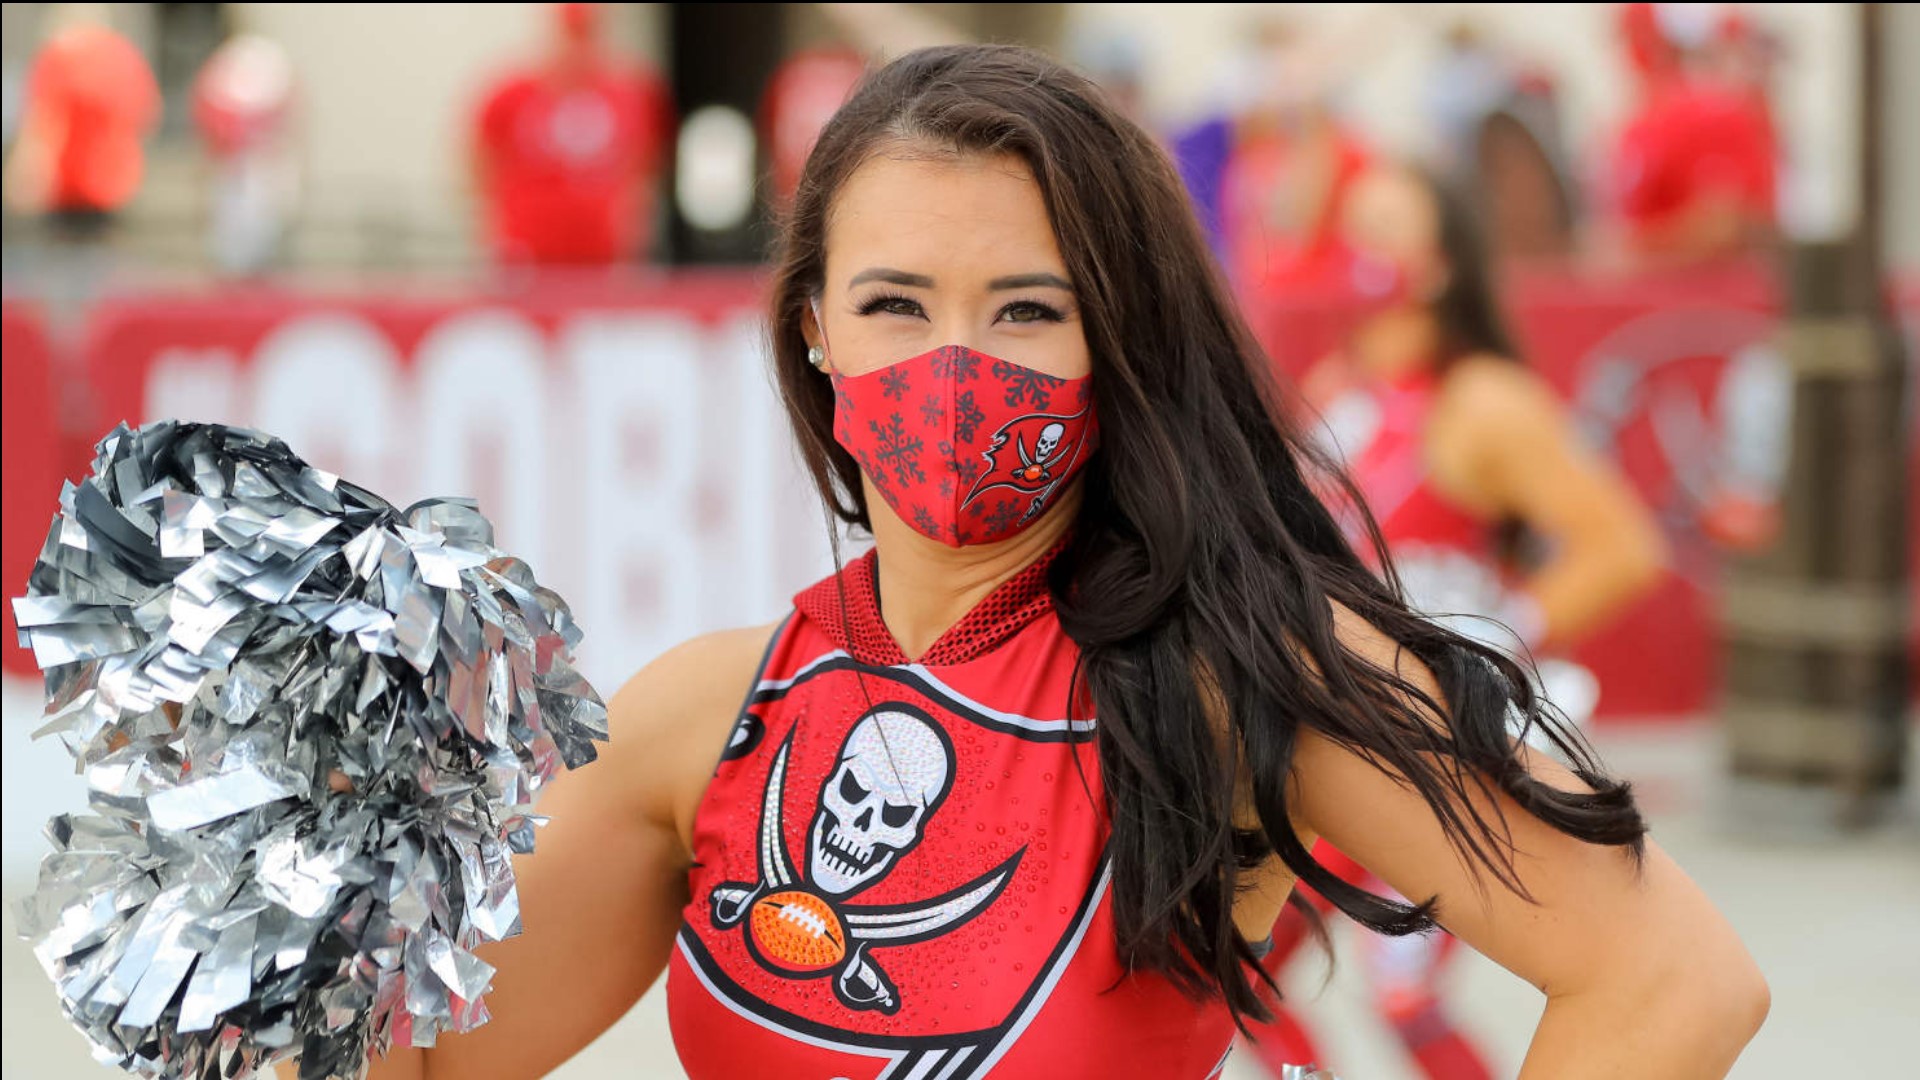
x: 1203, y: 572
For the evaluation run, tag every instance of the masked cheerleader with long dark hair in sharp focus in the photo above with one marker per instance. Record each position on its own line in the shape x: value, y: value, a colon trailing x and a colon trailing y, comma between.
x: 921, y: 854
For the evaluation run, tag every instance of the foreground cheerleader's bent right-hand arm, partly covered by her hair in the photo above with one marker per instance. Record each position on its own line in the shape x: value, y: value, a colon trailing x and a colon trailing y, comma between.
x: 1643, y: 975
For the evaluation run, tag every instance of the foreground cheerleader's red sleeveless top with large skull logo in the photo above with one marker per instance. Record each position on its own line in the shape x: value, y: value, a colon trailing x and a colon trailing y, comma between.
x: 901, y: 866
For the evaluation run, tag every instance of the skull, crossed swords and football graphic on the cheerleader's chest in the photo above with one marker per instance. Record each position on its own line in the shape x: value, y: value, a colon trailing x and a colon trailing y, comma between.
x: 894, y: 772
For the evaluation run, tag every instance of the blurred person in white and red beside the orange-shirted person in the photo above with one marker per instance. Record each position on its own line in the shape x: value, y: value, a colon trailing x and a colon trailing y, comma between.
x: 243, y: 110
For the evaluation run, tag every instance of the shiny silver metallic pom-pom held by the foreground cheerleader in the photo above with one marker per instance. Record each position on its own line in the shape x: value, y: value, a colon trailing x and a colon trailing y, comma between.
x: 312, y: 729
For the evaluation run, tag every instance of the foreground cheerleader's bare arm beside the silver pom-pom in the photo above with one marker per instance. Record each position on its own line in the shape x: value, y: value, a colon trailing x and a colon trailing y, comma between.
x: 604, y: 893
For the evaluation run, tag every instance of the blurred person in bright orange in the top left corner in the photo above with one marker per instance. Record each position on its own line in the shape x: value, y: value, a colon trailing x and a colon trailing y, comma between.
x: 89, y: 109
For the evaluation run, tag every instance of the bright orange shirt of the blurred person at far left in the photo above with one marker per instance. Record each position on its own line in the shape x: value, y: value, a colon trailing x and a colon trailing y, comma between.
x: 95, y: 99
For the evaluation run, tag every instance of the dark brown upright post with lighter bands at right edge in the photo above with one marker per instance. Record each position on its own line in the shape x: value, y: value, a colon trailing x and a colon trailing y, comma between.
x: 1815, y: 627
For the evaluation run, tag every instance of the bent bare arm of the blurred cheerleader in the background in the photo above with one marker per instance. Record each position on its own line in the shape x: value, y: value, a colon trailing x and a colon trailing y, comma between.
x: 1502, y: 445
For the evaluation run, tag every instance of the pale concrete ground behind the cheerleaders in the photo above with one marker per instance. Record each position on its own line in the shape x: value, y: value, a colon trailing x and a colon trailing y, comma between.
x: 1833, y: 920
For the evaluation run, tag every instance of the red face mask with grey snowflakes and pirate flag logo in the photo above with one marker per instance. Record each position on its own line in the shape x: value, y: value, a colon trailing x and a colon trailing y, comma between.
x: 967, y: 449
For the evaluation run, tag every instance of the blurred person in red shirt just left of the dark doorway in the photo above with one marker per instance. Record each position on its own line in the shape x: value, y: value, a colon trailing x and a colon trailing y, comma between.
x: 567, y: 155
